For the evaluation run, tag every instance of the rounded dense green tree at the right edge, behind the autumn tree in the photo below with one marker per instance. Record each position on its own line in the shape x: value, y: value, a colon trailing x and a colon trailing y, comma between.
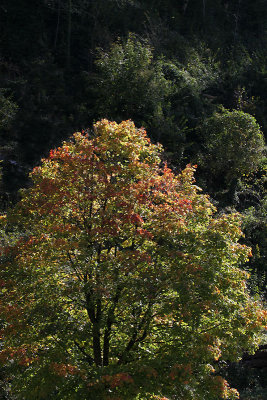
x: 233, y: 146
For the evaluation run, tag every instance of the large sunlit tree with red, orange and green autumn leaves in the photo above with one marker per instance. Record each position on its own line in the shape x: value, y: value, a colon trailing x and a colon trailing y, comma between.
x: 121, y: 283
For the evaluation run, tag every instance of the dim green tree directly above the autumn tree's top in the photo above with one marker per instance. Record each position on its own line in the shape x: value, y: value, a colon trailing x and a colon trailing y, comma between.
x: 135, y: 83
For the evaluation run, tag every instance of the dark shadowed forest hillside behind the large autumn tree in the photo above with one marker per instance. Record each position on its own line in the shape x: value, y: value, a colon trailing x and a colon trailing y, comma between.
x: 192, y: 72
